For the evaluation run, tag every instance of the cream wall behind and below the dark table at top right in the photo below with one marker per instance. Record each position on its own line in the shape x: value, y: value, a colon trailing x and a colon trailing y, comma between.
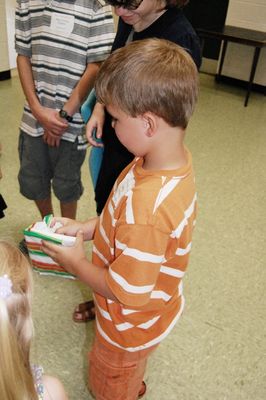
x: 249, y: 14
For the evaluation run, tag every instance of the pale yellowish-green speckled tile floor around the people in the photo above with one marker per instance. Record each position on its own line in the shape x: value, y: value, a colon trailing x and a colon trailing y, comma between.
x: 217, y: 351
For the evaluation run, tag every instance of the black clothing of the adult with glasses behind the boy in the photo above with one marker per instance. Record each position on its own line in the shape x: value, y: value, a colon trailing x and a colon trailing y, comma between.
x: 173, y: 26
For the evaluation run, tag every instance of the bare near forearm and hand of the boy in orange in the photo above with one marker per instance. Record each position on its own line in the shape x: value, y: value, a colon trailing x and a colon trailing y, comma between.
x: 73, y: 259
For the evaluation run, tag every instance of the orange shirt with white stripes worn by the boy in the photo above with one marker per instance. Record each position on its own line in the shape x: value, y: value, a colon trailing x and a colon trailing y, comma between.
x: 143, y: 239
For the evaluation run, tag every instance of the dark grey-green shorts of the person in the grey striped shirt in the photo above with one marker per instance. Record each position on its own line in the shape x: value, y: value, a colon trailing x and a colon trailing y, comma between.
x: 43, y: 167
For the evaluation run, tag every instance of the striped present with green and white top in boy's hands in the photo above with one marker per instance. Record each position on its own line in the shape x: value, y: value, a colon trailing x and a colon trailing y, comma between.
x: 41, y: 262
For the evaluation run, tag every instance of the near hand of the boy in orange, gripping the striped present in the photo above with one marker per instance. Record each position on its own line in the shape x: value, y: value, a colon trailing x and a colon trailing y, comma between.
x: 68, y: 257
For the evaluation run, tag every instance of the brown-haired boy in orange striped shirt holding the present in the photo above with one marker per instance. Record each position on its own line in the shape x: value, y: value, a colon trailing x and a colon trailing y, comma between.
x: 142, y: 239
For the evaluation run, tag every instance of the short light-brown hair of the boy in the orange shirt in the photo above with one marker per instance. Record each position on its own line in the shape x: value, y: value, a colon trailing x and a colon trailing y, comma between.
x: 150, y: 75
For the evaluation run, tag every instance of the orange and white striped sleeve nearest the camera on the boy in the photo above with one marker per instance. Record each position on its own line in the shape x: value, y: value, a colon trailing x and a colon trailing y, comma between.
x: 139, y: 254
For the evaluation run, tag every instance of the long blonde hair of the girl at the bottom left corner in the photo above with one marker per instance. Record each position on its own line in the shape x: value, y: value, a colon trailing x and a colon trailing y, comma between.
x: 16, y: 329
